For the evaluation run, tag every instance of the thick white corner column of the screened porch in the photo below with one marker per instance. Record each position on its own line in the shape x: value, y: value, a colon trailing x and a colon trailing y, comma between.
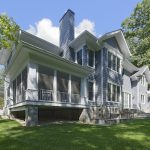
x: 32, y: 82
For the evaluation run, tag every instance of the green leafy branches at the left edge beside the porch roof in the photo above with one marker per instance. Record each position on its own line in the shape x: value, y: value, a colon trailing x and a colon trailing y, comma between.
x: 8, y: 32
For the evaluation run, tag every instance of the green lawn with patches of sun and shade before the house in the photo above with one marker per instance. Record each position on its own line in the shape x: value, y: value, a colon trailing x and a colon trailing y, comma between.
x: 134, y: 135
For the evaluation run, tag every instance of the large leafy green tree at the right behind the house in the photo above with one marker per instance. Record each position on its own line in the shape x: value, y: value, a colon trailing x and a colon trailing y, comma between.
x: 137, y: 32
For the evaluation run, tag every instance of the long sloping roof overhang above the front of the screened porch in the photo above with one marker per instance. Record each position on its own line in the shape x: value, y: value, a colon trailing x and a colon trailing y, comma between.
x: 41, y: 56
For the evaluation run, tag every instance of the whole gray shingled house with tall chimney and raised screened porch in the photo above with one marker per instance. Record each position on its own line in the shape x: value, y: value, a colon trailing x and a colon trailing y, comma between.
x: 86, y: 78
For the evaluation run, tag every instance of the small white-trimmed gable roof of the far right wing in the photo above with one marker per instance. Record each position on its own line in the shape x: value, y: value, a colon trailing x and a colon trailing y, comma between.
x: 142, y: 71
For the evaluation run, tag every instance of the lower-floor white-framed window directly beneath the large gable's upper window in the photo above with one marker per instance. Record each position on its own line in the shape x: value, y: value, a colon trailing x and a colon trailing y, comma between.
x: 113, y: 92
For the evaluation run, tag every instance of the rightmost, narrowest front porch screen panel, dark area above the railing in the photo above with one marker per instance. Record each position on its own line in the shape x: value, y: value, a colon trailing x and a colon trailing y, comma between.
x: 75, y: 85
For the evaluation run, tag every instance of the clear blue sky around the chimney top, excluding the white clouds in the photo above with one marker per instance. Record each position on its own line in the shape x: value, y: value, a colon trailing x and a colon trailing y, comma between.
x: 106, y: 14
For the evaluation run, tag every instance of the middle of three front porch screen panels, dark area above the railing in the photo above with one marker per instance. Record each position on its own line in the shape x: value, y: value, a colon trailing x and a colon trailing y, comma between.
x: 62, y: 82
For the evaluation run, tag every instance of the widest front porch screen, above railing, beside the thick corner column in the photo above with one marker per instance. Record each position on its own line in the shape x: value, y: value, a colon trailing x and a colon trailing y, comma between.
x: 45, y: 80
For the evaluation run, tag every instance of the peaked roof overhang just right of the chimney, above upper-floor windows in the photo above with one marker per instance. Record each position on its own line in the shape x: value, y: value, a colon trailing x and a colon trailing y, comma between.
x: 85, y: 38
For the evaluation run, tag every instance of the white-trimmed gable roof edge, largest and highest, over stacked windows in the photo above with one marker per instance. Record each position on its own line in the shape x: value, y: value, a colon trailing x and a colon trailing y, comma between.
x: 120, y: 39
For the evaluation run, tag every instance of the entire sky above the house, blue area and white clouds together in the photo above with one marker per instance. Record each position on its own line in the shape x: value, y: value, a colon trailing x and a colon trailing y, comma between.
x: 41, y: 17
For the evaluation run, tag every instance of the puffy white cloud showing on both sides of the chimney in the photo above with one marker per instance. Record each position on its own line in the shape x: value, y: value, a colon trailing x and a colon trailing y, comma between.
x: 47, y: 31
